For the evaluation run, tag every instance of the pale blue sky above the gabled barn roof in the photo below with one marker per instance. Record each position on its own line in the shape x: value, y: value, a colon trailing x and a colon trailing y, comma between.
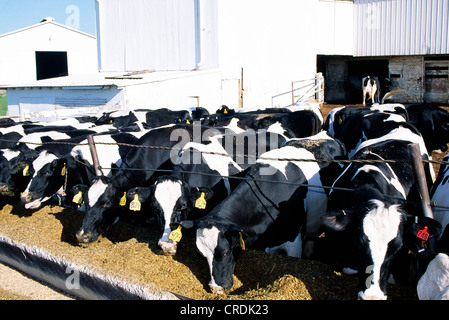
x: 17, y: 14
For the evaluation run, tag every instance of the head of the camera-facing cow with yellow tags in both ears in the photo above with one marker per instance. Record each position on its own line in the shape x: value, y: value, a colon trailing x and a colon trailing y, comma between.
x: 172, y: 200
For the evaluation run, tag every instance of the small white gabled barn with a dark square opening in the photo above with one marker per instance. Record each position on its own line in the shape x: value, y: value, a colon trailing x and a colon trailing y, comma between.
x: 44, y: 50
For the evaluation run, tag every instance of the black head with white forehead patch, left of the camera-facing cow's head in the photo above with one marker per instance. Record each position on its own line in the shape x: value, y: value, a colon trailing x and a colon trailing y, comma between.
x: 100, y: 201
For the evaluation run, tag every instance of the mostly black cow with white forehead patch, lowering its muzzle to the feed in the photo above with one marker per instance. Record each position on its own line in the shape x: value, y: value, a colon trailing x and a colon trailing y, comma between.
x: 107, y: 196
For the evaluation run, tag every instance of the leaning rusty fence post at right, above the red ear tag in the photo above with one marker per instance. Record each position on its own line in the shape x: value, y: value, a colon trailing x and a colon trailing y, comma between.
x: 420, y: 177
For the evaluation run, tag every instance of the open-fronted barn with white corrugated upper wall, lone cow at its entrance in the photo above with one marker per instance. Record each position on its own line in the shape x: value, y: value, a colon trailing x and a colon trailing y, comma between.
x: 403, y: 42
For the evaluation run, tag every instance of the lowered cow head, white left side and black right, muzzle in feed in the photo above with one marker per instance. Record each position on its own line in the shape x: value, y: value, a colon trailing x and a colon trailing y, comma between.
x: 220, y: 244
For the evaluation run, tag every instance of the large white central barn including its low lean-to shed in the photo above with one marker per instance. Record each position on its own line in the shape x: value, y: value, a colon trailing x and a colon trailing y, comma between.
x: 184, y: 53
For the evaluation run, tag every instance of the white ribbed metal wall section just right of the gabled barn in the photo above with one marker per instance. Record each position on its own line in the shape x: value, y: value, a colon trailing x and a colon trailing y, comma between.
x: 151, y: 34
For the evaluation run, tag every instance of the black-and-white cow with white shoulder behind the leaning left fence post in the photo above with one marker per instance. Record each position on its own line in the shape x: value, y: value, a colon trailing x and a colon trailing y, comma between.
x: 59, y: 167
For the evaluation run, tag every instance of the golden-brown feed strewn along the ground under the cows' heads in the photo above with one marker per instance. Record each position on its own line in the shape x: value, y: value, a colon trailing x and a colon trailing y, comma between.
x: 131, y: 252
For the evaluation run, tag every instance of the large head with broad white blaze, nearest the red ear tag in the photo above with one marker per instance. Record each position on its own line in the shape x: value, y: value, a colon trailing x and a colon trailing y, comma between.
x: 375, y: 233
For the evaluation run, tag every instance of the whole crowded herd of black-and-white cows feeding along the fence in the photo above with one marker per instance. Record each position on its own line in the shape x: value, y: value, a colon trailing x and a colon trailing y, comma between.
x: 272, y: 179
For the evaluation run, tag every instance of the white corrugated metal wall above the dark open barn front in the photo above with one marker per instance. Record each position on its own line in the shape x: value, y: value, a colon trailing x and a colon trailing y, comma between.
x: 401, y: 27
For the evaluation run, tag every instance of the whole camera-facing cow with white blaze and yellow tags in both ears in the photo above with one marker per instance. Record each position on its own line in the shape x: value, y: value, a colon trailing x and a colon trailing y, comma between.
x: 202, y: 170
